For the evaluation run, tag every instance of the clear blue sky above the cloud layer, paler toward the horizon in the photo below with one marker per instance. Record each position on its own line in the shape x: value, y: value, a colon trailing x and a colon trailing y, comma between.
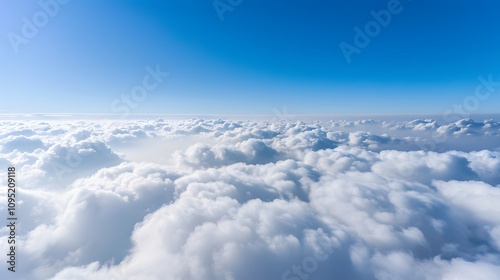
x: 263, y: 55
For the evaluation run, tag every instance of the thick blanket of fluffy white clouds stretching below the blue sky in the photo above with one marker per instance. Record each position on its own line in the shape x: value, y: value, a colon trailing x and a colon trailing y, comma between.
x: 363, y: 199
